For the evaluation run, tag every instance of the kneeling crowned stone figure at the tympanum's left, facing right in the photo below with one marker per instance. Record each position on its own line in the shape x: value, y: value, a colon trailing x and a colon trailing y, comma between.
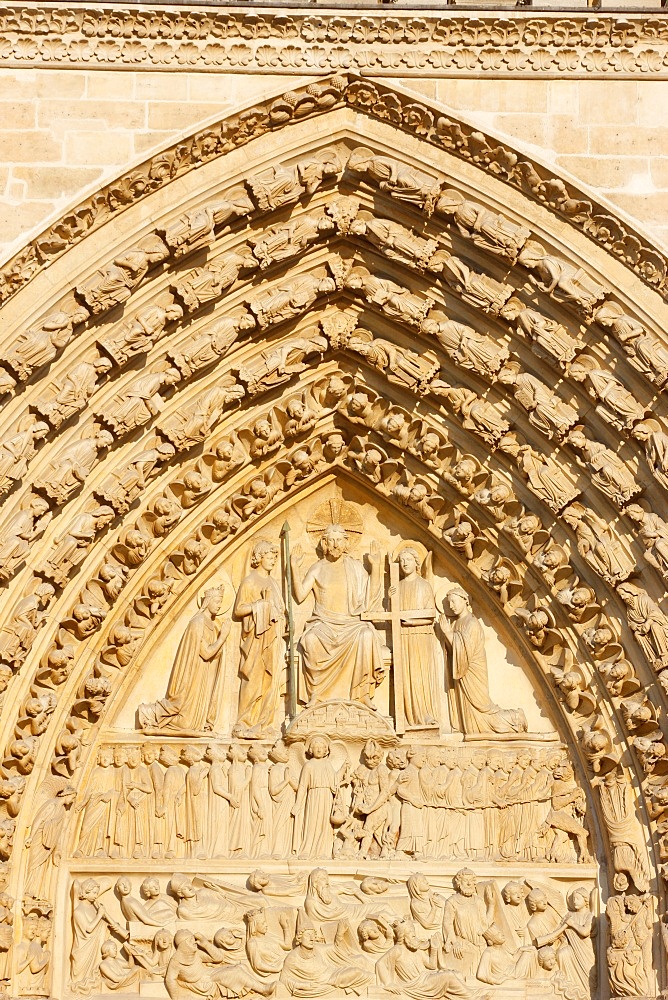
x: 195, y: 686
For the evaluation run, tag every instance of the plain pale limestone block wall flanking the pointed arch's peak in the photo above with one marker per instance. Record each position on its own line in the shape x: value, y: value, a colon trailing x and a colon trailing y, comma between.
x: 63, y: 133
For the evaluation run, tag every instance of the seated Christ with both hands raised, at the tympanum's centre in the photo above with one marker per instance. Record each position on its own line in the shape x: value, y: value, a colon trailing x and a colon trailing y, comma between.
x: 342, y: 655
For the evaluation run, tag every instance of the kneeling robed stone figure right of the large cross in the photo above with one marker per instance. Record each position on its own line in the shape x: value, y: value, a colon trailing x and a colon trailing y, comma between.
x: 471, y: 710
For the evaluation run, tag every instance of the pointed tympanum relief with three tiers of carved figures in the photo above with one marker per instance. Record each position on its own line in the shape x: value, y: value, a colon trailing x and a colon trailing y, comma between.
x: 332, y: 778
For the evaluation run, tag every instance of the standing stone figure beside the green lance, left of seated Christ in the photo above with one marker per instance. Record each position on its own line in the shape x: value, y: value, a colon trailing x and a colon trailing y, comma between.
x: 260, y: 608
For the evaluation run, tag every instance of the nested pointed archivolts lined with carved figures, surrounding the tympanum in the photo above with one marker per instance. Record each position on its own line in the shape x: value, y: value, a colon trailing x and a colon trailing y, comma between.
x: 405, y: 319
